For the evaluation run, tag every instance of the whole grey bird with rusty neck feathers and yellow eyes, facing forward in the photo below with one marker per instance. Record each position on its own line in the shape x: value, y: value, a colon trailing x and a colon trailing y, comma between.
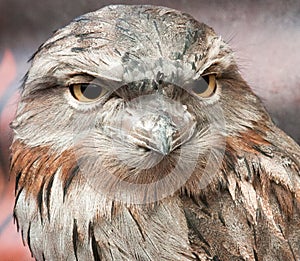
x: 137, y: 138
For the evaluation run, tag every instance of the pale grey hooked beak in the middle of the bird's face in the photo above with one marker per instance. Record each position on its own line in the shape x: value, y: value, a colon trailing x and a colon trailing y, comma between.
x: 160, y: 133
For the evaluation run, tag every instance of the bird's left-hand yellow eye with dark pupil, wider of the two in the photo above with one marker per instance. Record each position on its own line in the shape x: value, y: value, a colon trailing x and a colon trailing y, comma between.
x: 86, y: 92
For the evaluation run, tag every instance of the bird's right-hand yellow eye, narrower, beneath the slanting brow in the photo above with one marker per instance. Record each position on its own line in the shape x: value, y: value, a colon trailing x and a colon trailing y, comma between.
x: 205, y: 86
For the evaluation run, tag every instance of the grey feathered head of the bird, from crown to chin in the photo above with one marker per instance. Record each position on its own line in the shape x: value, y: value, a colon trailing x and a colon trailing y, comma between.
x: 140, y: 99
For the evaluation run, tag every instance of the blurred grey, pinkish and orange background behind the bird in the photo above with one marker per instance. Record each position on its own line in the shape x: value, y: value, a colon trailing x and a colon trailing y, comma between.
x: 264, y: 34
